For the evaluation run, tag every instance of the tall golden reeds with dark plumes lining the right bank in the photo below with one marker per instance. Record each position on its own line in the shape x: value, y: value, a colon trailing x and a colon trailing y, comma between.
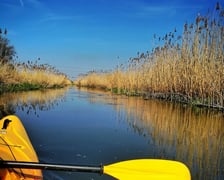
x: 188, y: 68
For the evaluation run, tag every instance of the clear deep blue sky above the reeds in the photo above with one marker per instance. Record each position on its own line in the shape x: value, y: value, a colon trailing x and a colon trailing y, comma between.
x: 76, y: 36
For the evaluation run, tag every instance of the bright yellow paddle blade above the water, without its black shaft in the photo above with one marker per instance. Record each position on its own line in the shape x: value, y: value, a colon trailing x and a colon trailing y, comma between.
x: 150, y: 169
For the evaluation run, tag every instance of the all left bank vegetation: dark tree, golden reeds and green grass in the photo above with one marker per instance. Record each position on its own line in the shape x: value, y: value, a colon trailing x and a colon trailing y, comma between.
x: 16, y: 76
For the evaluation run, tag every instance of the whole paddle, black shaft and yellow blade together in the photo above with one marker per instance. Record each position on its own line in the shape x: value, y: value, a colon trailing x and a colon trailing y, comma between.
x: 126, y: 170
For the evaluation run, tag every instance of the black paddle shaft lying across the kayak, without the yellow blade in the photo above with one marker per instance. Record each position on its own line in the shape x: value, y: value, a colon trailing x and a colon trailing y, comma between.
x: 50, y: 166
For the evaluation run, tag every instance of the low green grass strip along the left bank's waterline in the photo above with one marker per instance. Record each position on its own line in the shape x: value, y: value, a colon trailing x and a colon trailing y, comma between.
x: 5, y: 88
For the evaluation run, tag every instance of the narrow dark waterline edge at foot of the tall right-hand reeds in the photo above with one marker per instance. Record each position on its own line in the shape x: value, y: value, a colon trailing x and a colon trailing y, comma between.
x: 171, y: 97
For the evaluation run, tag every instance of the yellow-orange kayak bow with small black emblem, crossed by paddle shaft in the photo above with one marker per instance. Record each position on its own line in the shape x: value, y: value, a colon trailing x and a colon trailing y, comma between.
x: 16, y: 146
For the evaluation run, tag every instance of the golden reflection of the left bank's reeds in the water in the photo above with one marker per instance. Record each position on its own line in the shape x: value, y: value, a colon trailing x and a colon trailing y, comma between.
x: 31, y: 101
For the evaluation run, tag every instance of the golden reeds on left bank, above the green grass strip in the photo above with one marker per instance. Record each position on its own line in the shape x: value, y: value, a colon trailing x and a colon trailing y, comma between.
x: 43, y: 75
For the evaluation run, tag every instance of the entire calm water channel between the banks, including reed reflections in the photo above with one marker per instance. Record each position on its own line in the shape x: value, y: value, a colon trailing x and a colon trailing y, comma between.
x: 89, y: 127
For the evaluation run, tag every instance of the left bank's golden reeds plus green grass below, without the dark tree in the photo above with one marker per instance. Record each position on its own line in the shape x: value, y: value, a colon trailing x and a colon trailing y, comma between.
x: 30, y: 76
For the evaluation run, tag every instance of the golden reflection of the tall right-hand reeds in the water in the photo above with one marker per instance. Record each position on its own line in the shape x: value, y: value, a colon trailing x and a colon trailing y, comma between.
x: 191, y: 135
